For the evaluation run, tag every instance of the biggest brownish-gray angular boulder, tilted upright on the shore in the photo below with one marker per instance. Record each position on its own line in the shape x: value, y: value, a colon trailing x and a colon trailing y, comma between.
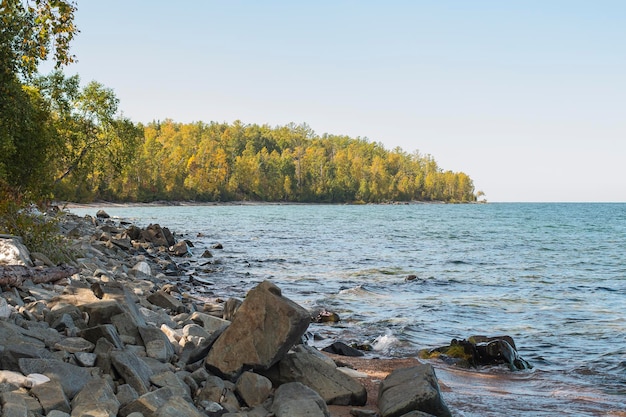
x: 265, y: 327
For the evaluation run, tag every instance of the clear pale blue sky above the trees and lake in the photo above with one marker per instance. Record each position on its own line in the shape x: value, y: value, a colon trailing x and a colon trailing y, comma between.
x: 526, y: 97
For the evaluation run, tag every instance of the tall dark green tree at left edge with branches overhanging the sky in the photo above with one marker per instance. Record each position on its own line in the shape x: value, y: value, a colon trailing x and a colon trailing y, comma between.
x: 31, y: 32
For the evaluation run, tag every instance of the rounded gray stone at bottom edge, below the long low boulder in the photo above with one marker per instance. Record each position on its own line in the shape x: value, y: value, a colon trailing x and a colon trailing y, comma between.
x: 297, y: 400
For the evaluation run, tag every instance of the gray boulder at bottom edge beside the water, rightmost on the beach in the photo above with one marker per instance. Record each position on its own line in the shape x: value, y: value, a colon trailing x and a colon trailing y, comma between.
x: 411, y: 389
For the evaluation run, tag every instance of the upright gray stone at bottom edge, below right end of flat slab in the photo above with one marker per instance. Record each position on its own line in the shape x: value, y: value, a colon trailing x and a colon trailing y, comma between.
x: 96, y: 398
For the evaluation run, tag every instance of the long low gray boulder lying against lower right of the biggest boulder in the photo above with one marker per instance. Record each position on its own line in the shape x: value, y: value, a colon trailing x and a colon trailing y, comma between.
x: 334, y: 386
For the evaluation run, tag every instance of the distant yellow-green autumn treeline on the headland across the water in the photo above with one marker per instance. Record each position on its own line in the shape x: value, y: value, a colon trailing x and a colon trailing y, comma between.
x: 225, y: 162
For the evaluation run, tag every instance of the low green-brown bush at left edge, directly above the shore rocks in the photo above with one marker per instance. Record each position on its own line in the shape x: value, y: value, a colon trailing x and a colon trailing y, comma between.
x: 39, y: 232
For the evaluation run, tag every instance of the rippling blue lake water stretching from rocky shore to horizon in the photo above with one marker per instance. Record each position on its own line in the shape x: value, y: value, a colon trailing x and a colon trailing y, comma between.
x: 552, y: 276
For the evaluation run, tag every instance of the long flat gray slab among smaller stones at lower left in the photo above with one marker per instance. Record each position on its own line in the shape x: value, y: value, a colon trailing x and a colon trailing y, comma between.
x: 71, y: 377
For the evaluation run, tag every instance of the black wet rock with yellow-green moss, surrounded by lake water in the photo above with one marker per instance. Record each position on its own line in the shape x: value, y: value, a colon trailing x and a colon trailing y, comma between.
x: 480, y: 351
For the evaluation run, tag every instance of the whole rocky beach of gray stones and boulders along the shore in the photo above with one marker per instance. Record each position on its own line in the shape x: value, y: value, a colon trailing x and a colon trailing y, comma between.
x: 123, y: 331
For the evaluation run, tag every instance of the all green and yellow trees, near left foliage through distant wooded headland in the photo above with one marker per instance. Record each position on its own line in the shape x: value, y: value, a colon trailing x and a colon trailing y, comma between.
x: 62, y: 140
